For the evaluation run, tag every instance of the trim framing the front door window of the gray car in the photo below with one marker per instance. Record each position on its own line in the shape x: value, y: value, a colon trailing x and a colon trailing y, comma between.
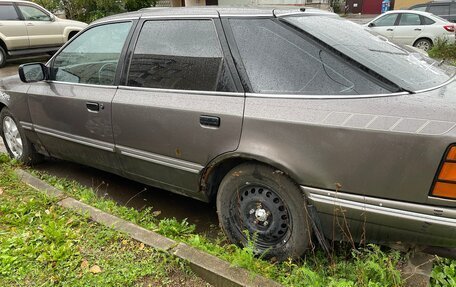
x: 122, y: 56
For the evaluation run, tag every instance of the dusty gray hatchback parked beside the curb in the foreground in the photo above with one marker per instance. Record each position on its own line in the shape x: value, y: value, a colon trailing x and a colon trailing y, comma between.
x: 295, y: 122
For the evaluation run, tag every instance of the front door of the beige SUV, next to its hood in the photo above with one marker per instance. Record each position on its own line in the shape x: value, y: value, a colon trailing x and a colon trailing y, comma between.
x: 41, y: 29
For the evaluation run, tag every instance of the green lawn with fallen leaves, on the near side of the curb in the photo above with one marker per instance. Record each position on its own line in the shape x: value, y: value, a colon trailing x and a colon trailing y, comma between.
x: 42, y: 244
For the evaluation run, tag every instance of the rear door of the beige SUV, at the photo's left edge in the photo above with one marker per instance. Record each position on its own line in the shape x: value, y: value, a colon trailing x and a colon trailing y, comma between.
x: 12, y: 28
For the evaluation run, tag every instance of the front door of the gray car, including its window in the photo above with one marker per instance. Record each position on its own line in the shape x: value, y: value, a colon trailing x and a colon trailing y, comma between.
x: 71, y: 113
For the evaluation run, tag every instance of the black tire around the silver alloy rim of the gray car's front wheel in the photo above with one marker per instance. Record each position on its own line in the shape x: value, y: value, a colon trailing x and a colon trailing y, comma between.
x: 28, y: 155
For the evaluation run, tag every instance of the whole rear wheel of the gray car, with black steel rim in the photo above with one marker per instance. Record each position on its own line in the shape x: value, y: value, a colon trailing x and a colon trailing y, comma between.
x: 269, y: 205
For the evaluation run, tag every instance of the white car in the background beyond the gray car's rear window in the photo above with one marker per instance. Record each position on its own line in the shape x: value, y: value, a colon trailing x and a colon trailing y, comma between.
x: 416, y: 28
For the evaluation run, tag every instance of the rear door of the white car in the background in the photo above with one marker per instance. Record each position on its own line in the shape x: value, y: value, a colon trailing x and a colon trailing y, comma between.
x: 408, y: 29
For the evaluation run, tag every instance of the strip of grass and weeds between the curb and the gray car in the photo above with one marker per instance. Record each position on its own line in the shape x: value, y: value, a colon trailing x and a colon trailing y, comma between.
x: 369, y: 266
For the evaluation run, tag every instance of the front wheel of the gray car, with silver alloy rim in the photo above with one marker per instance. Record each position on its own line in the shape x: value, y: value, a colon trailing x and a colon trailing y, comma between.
x: 17, y: 145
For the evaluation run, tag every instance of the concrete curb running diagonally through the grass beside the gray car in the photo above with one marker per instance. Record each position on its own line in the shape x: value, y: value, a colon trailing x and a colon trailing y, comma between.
x: 212, y: 269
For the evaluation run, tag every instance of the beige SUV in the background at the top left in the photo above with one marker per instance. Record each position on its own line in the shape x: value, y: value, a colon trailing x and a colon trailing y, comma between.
x: 27, y: 28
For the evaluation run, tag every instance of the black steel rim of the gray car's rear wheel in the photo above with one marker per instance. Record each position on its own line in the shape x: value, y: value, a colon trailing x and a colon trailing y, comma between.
x: 263, y: 213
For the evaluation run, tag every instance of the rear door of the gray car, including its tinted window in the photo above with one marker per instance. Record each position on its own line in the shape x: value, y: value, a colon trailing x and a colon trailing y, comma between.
x: 180, y: 107
